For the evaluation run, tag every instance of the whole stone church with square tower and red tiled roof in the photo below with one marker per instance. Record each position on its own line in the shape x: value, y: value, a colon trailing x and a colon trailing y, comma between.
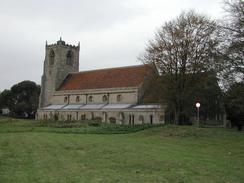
x: 113, y: 95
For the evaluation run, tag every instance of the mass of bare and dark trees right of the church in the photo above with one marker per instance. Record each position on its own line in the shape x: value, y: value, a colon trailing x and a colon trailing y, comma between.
x: 199, y: 60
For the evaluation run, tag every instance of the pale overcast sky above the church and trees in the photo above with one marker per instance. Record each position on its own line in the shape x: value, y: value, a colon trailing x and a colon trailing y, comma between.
x: 111, y: 32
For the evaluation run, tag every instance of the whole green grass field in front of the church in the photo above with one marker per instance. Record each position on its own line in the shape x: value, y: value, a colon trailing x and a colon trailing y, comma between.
x: 36, y: 152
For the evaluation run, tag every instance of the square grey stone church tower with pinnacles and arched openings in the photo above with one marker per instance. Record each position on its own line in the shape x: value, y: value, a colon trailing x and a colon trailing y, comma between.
x: 60, y: 60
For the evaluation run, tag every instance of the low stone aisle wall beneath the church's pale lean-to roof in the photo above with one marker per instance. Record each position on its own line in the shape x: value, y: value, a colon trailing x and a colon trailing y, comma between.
x: 122, y: 116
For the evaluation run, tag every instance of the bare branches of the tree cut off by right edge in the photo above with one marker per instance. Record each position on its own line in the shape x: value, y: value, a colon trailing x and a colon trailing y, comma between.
x: 233, y: 39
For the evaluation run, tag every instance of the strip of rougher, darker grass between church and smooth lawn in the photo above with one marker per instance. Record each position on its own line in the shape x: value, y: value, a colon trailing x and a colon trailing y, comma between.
x: 8, y: 125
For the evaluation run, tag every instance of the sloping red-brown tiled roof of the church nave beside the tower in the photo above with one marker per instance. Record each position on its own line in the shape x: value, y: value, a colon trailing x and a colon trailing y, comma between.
x: 131, y: 76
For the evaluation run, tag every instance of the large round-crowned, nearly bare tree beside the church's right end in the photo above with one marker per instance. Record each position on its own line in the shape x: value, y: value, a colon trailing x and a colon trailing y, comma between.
x: 182, y: 49
